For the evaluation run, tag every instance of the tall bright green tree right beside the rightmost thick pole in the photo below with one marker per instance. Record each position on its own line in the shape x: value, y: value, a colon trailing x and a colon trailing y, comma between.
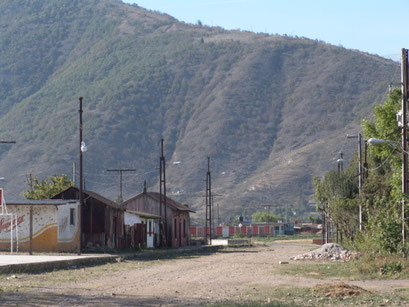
x: 382, y: 191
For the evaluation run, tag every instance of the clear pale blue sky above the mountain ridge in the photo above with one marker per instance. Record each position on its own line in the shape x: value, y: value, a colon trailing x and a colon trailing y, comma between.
x: 375, y: 26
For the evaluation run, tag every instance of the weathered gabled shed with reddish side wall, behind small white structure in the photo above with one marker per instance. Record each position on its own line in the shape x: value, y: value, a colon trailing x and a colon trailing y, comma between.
x: 177, y: 216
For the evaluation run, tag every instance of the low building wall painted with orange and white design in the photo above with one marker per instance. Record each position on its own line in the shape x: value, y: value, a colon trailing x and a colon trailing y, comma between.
x: 52, y: 231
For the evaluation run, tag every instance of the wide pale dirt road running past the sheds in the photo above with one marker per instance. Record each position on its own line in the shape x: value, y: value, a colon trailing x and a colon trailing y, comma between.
x: 228, y: 275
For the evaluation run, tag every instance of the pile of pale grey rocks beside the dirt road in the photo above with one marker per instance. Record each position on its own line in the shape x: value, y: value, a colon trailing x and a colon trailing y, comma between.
x: 329, y: 251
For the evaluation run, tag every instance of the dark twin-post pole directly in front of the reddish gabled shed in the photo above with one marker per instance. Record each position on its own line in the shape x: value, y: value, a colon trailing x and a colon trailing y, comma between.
x: 162, y: 198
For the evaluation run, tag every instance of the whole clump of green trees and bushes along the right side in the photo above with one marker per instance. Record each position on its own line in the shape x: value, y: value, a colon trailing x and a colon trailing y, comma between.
x: 337, y: 195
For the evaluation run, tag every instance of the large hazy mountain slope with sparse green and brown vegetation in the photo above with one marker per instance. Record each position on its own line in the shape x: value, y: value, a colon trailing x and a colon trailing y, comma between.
x: 271, y: 111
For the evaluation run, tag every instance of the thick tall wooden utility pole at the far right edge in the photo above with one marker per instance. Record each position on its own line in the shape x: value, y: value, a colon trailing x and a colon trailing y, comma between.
x: 404, y: 79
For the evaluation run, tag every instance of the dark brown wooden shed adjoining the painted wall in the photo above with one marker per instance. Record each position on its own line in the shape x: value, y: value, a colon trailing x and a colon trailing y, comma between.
x: 102, y: 220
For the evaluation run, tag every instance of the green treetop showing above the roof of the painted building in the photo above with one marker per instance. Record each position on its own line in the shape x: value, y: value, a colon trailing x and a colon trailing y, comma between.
x: 47, y: 187
